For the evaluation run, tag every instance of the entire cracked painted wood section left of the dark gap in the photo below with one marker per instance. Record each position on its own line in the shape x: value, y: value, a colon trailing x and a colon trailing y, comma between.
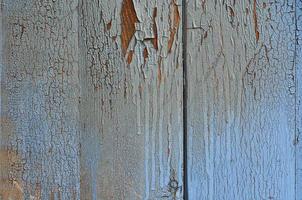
x: 91, y: 100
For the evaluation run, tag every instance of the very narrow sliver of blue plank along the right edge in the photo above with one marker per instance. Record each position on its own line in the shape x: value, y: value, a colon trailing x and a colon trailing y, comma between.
x: 298, y: 64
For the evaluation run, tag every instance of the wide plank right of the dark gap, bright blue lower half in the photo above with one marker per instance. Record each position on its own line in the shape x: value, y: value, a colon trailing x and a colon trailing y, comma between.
x: 241, y: 99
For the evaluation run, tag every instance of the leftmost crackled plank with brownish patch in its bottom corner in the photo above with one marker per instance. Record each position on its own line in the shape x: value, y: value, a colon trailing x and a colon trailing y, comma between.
x: 39, y: 100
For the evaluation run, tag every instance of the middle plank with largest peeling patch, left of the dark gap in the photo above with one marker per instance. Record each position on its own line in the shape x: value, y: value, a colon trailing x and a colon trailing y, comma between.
x: 131, y: 99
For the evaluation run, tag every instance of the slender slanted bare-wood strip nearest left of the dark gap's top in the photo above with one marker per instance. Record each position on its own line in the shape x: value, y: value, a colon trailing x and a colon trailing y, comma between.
x: 175, y: 18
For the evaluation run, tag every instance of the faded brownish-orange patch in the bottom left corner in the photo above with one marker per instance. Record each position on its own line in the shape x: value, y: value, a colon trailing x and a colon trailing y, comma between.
x: 10, y: 188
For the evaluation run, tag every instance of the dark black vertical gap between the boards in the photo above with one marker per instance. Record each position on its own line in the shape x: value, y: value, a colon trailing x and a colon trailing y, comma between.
x: 185, y: 97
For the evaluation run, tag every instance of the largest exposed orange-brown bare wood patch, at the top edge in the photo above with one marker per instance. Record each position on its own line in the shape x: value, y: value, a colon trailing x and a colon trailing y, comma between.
x: 129, y: 18
